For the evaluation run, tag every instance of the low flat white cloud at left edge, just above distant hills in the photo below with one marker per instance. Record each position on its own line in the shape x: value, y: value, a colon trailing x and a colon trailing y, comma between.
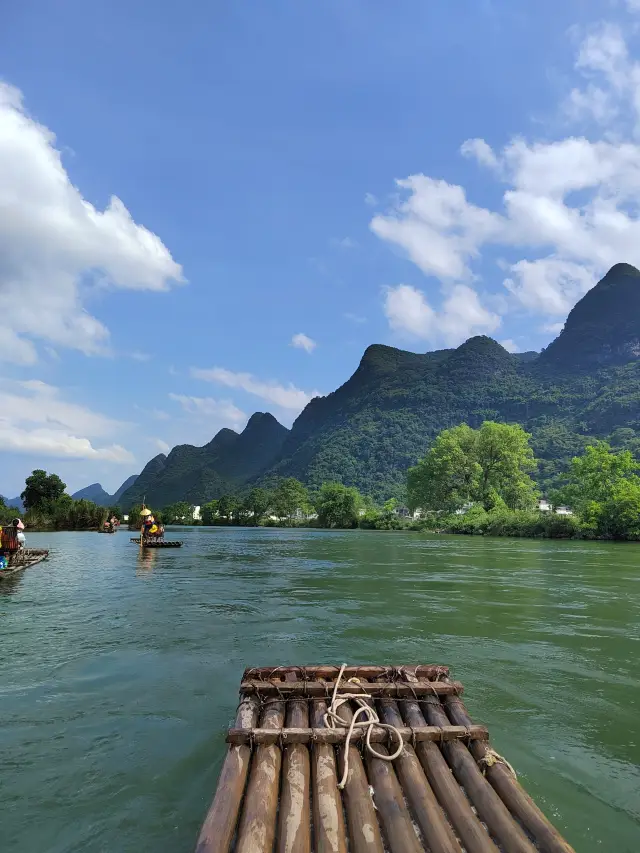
x: 35, y: 419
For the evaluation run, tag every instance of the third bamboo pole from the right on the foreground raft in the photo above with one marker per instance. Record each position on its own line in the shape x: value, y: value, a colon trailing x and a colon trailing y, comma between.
x: 452, y: 799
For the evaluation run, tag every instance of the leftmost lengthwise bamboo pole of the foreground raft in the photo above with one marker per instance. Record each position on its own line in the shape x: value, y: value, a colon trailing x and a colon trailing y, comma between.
x: 220, y: 823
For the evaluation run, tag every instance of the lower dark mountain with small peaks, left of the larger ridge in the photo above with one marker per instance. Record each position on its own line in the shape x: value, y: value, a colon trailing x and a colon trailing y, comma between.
x: 198, y: 474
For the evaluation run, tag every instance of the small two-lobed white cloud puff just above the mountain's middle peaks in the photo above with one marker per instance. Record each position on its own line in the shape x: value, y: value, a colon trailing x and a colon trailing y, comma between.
x: 461, y: 316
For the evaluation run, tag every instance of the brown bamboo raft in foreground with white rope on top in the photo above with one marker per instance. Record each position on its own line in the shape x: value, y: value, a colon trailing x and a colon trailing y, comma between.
x: 446, y: 791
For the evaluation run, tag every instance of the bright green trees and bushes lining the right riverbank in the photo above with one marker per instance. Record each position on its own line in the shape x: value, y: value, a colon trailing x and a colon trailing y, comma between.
x: 479, y: 481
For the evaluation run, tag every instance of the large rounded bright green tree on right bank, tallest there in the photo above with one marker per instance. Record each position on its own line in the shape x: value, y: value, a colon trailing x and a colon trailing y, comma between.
x: 489, y: 465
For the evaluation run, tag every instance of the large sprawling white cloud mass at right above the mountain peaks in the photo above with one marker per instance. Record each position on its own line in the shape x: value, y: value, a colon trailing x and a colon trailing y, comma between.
x: 569, y: 207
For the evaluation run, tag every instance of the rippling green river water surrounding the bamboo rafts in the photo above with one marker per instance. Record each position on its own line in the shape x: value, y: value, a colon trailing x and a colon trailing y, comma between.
x: 119, y: 674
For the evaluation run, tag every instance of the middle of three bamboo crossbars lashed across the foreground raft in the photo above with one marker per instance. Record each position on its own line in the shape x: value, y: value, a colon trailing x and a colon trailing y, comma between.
x: 398, y: 689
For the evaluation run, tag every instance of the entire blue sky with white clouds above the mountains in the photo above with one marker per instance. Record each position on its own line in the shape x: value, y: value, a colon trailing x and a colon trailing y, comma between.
x: 210, y: 209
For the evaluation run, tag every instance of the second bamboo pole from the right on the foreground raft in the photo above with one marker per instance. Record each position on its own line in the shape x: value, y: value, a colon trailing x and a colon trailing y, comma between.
x: 488, y: 804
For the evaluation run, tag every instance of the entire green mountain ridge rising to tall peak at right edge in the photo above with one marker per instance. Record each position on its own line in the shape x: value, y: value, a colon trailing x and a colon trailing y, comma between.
x: 585, y: 384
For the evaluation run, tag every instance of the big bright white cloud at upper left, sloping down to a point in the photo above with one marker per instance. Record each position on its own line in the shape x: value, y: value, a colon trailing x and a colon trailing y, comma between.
x: 55, y: 245
